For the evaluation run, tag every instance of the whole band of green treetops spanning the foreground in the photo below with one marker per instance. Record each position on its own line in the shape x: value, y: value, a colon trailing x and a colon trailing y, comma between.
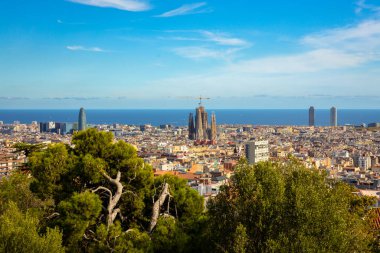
x: 97, y: 195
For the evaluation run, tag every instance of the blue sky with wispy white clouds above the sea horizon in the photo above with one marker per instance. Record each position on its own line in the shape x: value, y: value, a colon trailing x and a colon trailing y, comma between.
x: 163, y: 54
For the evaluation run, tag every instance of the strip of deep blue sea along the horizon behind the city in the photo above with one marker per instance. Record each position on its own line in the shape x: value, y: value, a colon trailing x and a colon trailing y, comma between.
x: 179, y: 117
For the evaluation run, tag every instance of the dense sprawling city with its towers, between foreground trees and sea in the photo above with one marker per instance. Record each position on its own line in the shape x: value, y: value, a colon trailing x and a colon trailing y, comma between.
x: 205, y: 156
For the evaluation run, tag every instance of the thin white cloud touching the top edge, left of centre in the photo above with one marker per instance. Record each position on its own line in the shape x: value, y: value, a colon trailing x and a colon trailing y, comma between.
x: 127, y: 5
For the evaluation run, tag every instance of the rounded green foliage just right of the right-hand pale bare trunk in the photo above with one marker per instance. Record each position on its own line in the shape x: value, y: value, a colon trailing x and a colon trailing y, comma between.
x: 180, y: 225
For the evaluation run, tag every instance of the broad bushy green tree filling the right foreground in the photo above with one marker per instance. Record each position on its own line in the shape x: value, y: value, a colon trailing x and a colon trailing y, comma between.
x: 286, y: 208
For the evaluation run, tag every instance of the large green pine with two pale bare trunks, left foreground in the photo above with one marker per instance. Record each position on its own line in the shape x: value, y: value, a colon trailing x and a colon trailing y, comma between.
x: 106, y: 198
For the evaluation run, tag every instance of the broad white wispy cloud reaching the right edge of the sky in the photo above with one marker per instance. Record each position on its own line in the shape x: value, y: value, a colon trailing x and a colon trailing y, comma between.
x: 341, y: 48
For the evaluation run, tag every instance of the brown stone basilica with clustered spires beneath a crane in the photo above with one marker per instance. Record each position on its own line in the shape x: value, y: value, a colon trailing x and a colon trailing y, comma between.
x: 200, y: 130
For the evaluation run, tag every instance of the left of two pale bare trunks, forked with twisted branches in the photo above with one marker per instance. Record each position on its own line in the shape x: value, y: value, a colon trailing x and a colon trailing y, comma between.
x: 113, y: 198
